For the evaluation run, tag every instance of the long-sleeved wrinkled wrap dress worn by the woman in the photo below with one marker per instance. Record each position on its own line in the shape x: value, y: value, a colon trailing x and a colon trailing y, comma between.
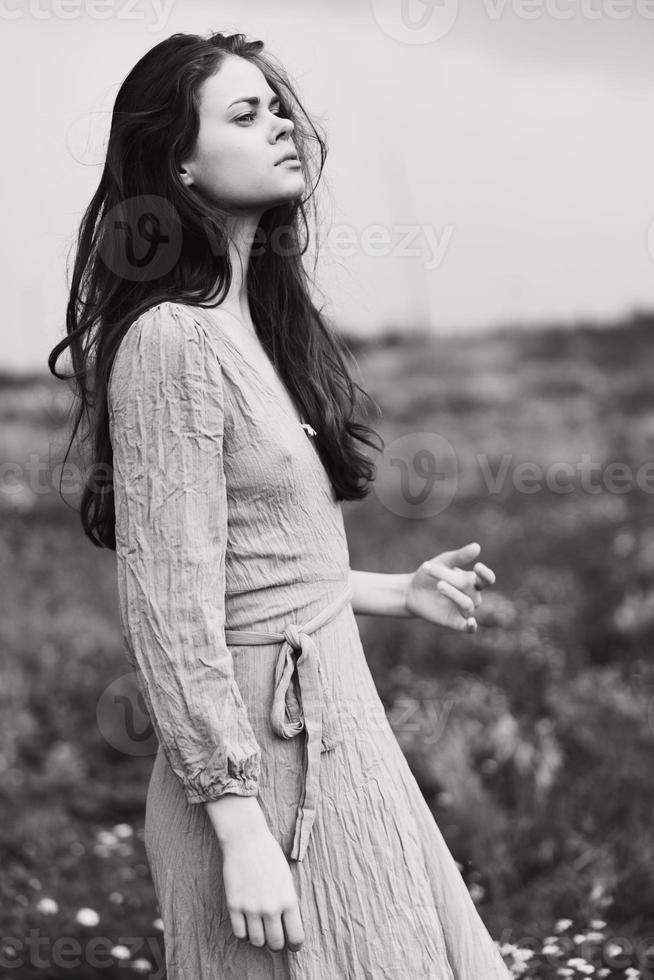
x: 226, y: 521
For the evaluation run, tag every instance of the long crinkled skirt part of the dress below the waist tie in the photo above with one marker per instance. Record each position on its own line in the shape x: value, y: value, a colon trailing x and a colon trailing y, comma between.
x: 380, y: 895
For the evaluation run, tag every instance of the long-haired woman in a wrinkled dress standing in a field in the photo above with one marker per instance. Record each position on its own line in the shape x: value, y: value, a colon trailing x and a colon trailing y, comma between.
x: 224, y: 438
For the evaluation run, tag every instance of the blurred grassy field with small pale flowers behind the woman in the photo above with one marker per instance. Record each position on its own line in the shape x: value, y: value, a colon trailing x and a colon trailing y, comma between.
x: 531, y: 740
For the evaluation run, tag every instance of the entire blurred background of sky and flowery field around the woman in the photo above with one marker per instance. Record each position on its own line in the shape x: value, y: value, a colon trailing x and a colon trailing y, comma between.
x: 487, y: 251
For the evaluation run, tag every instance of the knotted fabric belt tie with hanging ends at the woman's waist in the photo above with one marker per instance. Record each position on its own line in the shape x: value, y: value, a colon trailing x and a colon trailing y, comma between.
x: 311, y: 710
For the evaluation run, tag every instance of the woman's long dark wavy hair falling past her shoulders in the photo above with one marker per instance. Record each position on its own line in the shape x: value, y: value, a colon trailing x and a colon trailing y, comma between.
x: 154, y: 126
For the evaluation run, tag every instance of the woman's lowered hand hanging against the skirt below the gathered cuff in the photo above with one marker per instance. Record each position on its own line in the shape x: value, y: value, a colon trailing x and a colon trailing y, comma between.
x: 260, y: 891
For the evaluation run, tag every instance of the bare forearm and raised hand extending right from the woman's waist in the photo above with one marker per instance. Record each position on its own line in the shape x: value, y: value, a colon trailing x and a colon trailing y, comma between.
x: 439, y: 590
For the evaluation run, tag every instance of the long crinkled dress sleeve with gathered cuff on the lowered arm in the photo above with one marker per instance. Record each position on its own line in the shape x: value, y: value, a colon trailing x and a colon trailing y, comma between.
x: 166, y: 412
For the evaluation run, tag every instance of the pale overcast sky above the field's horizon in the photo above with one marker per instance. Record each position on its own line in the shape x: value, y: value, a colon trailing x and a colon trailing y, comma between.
x: 515, y: 138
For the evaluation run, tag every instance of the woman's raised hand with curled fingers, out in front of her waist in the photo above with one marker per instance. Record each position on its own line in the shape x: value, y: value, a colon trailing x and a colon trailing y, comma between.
x: 442, y: 593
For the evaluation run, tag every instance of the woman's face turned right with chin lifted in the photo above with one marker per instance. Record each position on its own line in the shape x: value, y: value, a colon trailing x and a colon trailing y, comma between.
x: 238, y: 155
